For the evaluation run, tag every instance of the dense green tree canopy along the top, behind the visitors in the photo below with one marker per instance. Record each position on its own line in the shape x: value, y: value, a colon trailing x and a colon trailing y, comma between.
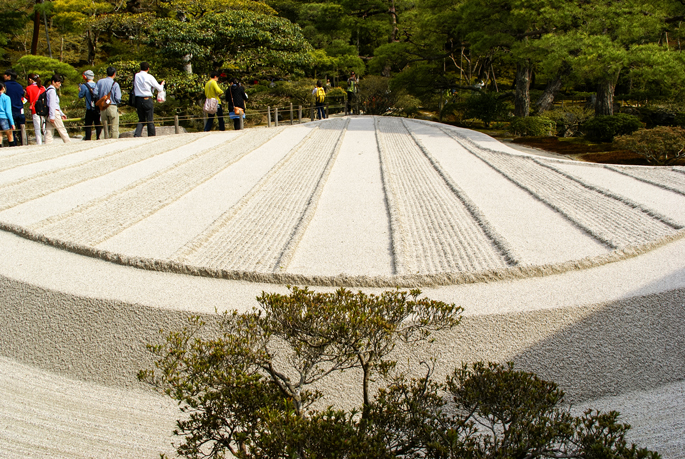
x: 525, y: 51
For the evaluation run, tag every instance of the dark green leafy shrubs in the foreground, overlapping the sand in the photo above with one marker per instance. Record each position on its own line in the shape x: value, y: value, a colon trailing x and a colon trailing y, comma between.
x: 247, y: 390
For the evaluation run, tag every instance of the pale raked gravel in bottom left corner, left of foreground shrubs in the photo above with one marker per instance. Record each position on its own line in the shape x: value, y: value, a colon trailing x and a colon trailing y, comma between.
x: 46, y: 415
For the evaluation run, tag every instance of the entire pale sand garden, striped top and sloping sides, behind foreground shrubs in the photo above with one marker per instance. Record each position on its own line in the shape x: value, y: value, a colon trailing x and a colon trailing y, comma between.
x: 573, y: 270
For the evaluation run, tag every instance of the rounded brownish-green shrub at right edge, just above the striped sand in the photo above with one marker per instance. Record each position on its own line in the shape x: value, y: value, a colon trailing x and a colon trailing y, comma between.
x: 659, y: 146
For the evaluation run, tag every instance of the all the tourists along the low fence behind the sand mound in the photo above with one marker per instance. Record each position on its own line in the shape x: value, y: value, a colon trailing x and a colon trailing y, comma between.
x: 103, y: 98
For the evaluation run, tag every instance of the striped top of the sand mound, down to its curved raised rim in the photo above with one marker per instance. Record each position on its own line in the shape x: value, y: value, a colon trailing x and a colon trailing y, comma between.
x: 435, y: 205
